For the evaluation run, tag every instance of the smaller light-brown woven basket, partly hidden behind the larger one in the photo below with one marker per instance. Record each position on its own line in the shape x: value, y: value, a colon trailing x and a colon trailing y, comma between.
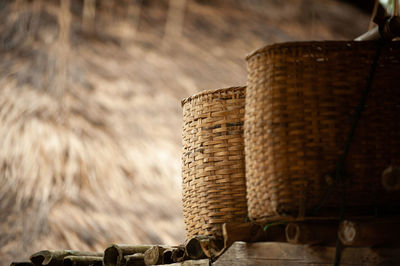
x: 213, y: 170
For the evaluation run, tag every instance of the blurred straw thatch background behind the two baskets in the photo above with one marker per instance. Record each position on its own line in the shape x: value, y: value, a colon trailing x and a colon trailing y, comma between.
x: 90, y: 115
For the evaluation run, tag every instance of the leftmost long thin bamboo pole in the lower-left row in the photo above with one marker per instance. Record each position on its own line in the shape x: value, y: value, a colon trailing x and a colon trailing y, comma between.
x: 56, y: 257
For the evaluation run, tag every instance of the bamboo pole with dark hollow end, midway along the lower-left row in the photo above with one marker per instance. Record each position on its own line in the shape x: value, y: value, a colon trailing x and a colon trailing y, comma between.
x: 114, y: 254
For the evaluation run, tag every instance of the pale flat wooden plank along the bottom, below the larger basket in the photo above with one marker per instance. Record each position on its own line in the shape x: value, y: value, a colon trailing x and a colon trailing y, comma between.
x: 270, y: 253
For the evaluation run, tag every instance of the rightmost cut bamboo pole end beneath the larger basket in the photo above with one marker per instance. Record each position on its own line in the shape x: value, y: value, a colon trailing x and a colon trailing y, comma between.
x: 372, y: 233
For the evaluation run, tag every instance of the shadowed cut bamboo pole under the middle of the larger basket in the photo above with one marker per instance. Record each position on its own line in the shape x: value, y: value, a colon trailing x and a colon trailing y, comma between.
x: 312, y: 233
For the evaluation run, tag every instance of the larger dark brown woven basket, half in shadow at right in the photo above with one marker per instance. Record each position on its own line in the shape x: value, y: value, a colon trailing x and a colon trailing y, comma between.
x: 300, y: 102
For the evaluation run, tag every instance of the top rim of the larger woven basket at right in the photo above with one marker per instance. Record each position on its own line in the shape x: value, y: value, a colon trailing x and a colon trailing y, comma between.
x: 275, y: 46
